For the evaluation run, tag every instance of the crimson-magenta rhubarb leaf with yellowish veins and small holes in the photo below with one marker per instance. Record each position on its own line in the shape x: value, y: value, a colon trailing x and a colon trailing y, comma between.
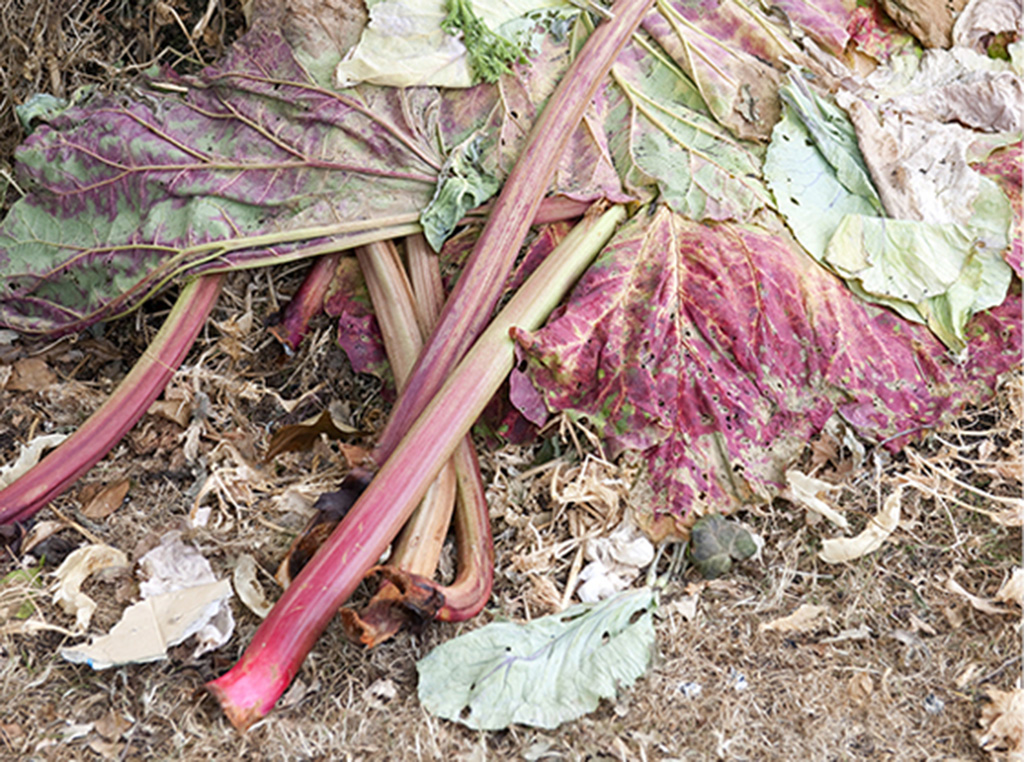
x: 718, y: 350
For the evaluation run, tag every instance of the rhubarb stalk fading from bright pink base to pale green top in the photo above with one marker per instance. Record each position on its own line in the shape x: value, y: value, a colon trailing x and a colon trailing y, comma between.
x: 250, y: 690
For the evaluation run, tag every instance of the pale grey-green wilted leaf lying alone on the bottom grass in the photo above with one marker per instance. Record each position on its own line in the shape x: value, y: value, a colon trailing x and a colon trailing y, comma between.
x: 546, y: 672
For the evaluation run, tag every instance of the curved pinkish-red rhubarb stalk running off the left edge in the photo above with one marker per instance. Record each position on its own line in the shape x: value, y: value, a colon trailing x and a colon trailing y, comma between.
x: 123, y: 409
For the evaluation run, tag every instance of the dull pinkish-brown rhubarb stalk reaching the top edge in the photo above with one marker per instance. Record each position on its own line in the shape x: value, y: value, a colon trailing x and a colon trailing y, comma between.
x: 476, y: 295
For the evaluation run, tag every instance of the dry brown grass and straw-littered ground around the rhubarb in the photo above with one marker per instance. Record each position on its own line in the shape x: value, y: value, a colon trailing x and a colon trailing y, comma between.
x: 897, y: 668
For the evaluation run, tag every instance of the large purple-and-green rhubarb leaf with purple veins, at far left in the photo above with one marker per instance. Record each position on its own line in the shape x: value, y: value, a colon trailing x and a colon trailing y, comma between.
x: 248, y: 163
